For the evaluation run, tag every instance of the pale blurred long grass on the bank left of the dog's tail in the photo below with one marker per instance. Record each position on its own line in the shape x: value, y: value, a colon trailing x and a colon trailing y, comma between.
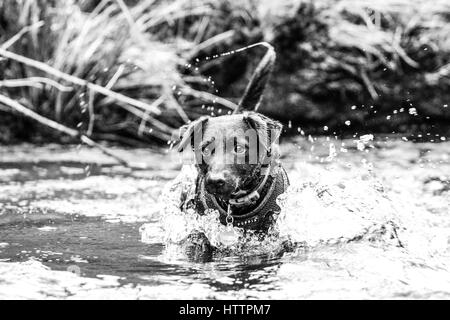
x: 113, y: 46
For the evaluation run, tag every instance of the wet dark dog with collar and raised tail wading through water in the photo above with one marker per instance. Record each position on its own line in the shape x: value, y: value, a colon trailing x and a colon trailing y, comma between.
x: 236, y: 157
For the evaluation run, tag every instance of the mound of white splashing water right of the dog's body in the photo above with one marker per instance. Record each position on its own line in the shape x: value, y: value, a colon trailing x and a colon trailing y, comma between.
x: 335, y: 210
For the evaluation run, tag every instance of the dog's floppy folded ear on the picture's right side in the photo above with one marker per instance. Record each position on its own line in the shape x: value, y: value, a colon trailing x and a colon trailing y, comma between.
x: 268, y: 130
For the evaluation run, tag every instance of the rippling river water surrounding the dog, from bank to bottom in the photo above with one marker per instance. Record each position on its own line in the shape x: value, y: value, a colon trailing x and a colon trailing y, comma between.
x: 370, y: 220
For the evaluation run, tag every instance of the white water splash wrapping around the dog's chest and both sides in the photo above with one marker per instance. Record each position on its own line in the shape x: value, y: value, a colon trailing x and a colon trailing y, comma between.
x: 320, y: 212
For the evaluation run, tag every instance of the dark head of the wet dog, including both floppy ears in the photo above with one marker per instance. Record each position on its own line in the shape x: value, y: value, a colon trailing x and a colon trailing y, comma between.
x: 231, y: 150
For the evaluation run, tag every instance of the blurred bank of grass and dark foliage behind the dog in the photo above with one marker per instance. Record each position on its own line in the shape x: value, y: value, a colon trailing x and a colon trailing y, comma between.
x: 343, y: 67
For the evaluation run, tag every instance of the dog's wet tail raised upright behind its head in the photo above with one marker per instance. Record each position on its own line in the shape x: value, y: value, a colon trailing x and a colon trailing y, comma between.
x: 255, y: 88
